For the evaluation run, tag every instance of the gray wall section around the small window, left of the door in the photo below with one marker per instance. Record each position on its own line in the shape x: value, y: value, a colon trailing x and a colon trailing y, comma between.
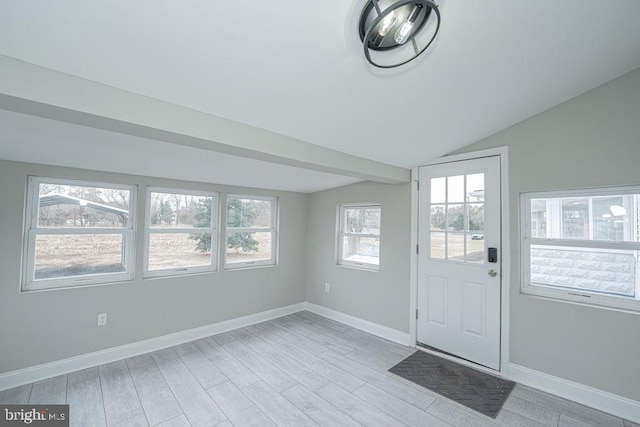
x: 381, y: 297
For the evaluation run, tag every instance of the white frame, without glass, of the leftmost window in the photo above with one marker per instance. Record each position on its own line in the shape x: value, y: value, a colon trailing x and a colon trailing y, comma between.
x: 29, y: 283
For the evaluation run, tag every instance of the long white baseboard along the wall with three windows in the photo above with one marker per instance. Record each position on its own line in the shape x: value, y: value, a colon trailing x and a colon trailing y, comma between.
x: 60, y: 367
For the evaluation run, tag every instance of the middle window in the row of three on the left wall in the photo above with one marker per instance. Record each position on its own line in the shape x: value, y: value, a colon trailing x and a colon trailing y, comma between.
x: 180, y: 232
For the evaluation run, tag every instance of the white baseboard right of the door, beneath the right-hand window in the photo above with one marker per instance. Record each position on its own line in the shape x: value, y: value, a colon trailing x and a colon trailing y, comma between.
x: 589, y: 396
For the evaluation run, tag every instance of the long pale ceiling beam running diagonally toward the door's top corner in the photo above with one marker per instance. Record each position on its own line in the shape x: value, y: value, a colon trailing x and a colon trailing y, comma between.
x: 30, y: 89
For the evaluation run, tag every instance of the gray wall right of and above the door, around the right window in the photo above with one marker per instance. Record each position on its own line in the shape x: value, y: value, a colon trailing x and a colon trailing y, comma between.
x: 592, y: 140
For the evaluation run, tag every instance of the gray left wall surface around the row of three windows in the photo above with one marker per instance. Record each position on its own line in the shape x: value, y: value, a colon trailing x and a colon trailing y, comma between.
x: 39, y: 327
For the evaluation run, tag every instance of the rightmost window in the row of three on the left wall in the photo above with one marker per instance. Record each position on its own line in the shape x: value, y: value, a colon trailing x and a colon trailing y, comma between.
x: 251, y: 232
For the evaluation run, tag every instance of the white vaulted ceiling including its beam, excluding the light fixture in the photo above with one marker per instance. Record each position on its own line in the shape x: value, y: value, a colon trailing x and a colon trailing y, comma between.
x: 278, y: 94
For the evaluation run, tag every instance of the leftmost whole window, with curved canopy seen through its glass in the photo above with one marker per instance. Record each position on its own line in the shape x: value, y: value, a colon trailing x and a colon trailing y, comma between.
x: 77, y: 233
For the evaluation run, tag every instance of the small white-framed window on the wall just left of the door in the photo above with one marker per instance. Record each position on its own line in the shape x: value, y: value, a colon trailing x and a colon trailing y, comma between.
x: 359, y: 236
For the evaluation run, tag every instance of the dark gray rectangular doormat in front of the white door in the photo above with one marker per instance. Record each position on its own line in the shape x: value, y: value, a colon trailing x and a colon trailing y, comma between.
x: 474, y: 389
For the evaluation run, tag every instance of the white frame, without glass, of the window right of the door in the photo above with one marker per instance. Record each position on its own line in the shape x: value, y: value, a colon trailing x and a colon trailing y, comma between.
x: 577, y: 295
